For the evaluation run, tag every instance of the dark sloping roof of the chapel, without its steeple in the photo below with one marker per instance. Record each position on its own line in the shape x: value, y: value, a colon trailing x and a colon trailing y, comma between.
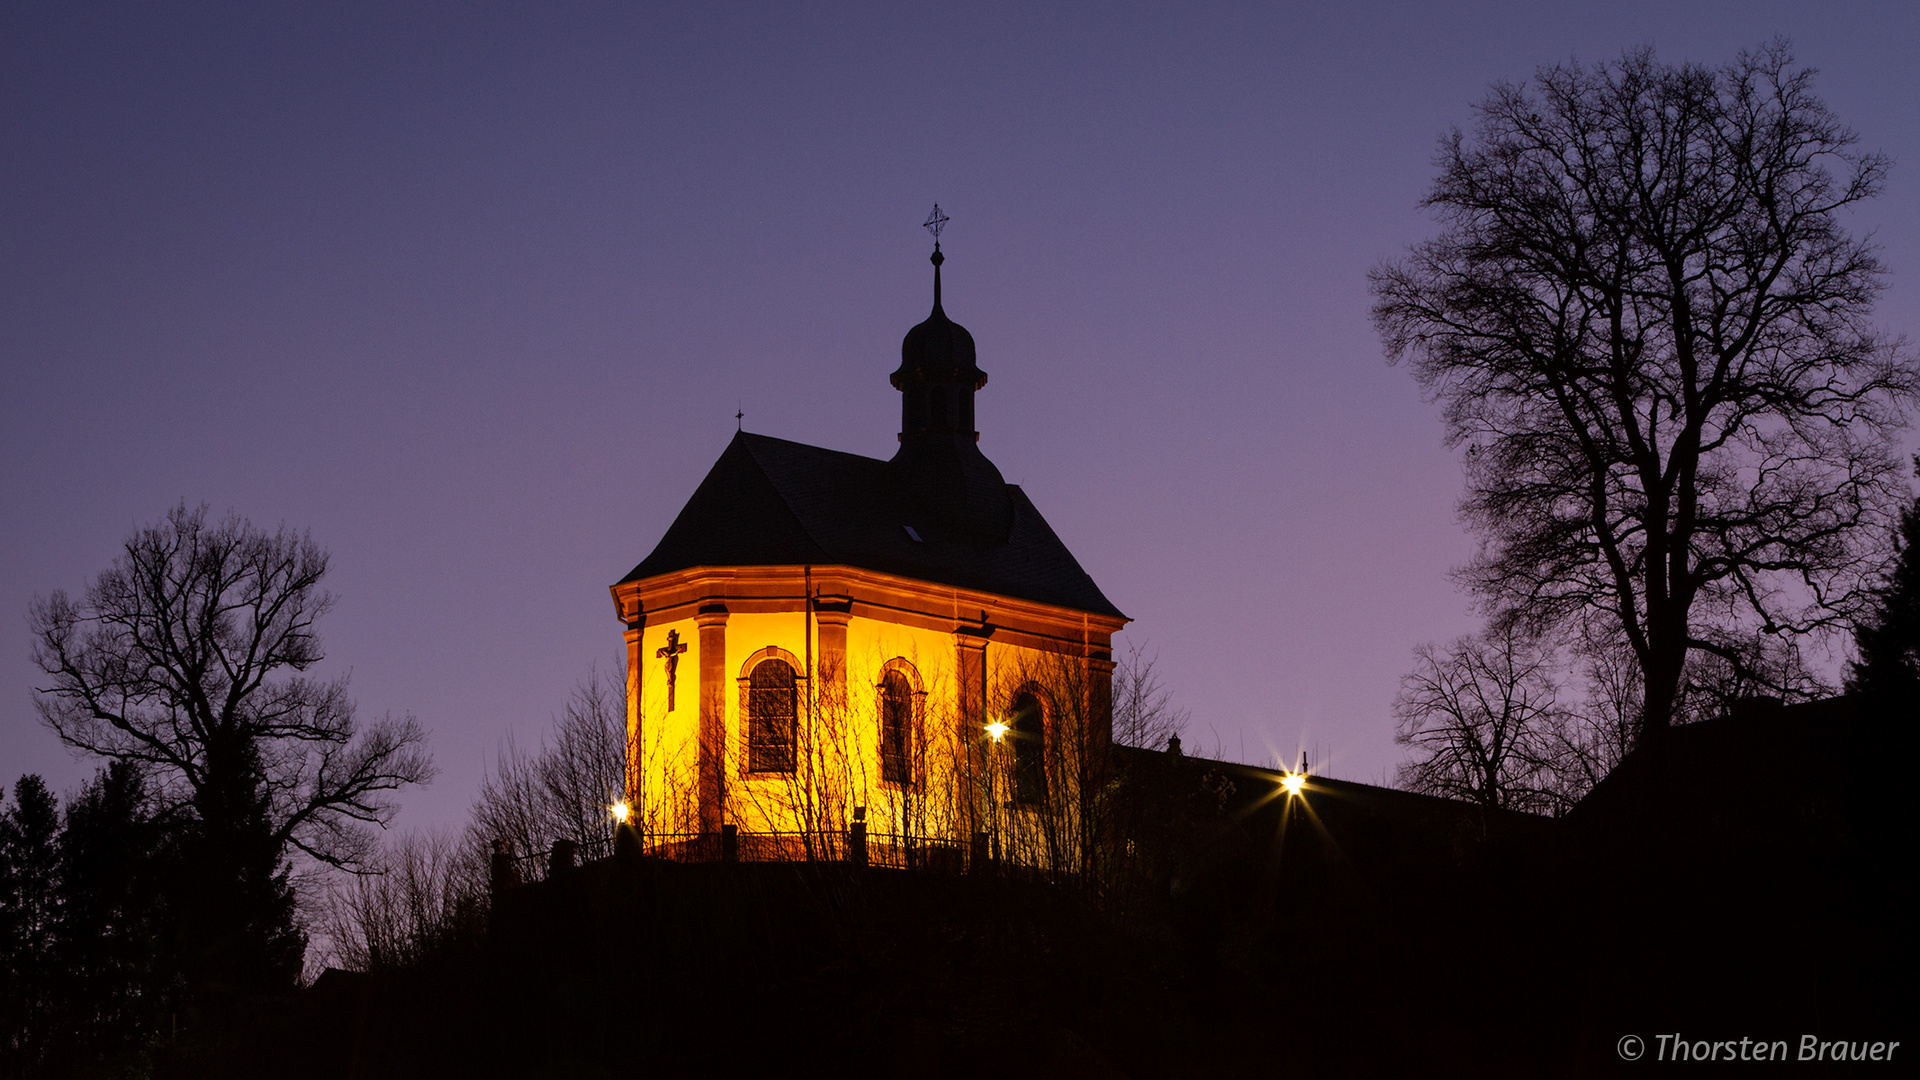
x: 771, y: 503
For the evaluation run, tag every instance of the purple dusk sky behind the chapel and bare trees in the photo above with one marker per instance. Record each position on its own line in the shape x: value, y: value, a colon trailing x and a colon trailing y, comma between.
x: 473, y: 297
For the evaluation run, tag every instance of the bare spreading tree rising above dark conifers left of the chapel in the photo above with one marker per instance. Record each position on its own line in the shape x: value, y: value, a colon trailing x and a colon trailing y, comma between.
x: 189, y: 658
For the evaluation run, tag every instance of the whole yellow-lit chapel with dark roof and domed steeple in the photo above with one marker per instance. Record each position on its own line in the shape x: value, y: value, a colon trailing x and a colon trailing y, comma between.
x: 825, y: 639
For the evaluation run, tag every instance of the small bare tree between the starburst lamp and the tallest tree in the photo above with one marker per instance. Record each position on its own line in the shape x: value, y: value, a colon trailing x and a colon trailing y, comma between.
x: 1483, y: 724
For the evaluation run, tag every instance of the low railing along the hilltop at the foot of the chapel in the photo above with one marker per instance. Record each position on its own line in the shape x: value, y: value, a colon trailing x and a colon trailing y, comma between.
x: 888, y: 850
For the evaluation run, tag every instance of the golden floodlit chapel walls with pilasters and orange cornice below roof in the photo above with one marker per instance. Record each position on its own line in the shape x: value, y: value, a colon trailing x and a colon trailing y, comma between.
x: 967, y: 654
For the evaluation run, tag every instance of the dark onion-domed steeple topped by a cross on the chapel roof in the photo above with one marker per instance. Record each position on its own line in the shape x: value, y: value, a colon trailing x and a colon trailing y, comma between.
x: 940, y: 453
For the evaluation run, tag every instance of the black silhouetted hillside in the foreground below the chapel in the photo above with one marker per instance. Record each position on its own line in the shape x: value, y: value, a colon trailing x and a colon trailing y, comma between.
x: 1748, y: 883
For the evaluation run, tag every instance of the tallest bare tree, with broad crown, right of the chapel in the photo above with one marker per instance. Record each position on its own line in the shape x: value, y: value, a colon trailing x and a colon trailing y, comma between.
x: 1650, y: 333
